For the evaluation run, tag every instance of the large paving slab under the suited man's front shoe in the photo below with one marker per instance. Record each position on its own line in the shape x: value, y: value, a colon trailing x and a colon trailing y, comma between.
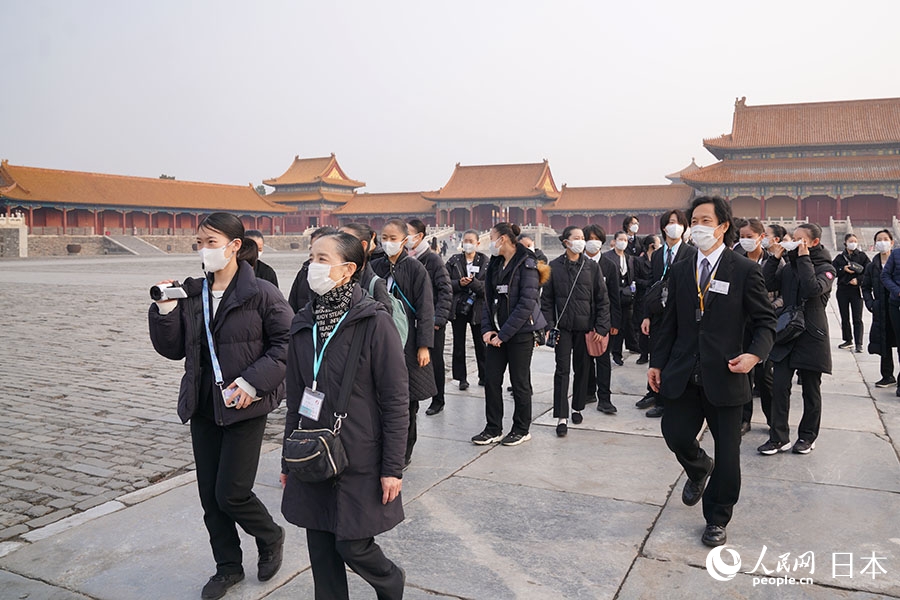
x: 794, y: 518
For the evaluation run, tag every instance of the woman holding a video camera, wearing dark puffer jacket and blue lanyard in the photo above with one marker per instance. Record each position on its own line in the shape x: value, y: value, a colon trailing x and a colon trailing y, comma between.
x: 249, y: 322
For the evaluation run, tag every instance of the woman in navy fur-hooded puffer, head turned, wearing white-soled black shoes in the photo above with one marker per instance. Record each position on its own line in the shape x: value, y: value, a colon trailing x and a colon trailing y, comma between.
x: 511, y: 322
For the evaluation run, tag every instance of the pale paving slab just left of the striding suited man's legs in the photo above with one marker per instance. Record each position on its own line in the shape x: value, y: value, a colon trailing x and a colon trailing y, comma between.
x: 584, y: 462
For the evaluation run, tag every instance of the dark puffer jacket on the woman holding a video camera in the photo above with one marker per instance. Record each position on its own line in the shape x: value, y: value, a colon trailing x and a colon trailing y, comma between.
x: 250, y: 330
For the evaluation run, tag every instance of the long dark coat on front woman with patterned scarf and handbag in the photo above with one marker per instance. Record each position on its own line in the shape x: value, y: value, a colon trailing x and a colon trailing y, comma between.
x: 373, y: 434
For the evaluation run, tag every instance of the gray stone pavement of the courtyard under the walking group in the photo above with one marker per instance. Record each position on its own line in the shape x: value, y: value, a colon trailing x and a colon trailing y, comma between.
x: 97, y: 495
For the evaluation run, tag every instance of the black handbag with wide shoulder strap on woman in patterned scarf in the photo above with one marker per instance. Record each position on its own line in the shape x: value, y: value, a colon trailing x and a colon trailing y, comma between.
x: 317, y: 455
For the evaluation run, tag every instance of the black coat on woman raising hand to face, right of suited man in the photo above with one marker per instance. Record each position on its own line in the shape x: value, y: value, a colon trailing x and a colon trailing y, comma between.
x: 807, y: 278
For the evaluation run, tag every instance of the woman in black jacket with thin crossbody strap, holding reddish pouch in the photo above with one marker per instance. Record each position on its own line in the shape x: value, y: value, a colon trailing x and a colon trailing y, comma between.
x: 574, y: 304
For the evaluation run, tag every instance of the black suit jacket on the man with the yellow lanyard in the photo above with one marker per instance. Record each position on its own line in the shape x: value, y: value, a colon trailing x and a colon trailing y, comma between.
x: 679, y: 342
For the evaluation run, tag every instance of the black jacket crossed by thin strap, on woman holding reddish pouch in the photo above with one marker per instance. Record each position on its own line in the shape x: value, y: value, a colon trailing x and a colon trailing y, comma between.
x: 588, y: 308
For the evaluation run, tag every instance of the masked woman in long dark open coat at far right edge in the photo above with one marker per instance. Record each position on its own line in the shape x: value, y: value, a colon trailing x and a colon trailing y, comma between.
x: 881, y: 335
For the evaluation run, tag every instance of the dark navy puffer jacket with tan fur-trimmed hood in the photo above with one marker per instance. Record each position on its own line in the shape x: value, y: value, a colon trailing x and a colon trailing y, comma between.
x: 522, y: 308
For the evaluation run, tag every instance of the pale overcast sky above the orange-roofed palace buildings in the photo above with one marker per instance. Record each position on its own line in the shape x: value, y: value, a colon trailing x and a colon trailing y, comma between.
x: 612, y: 93
